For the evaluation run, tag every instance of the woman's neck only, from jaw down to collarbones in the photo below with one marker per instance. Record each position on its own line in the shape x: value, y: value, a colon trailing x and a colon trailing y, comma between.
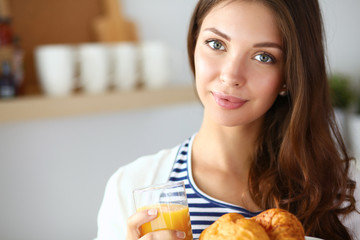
x: 228, y: 148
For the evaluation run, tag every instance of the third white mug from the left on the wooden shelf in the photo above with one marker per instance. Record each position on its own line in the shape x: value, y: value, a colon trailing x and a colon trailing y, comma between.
x: 125, y: 65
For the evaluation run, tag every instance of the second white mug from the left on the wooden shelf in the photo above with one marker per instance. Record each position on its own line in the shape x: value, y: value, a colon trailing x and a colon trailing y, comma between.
x: 94, y: 67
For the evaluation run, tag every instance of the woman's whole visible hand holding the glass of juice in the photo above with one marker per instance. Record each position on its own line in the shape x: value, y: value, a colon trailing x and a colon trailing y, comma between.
x: 135, y: 221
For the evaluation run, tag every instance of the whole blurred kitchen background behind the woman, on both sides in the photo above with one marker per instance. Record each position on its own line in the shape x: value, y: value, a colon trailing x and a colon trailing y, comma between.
x: 59, y: 144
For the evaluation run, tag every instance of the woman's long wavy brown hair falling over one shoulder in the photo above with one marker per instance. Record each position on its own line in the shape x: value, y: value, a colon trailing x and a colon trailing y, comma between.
x: 301, y: 162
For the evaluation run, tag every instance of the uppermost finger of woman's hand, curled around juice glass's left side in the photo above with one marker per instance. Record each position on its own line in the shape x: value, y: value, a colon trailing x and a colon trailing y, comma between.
x: 135, y: 221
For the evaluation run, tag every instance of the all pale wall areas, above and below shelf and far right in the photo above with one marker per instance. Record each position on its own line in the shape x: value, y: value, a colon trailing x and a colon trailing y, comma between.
x: 53, y: 172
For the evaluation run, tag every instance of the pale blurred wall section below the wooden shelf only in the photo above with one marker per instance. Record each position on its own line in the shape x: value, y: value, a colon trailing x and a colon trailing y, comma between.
x: 53, y: 172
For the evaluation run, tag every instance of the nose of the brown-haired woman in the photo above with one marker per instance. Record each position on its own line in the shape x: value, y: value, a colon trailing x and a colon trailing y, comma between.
x: 233, y: 72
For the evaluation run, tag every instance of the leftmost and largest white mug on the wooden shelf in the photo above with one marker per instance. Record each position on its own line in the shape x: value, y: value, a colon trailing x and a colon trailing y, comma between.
x: 55, y: 65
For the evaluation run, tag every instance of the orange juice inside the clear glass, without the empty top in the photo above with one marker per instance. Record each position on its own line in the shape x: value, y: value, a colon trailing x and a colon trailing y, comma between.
x: 170, y: 216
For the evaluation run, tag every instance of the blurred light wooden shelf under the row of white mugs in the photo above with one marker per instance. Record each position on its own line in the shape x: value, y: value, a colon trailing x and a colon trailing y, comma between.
x: 42, y: 107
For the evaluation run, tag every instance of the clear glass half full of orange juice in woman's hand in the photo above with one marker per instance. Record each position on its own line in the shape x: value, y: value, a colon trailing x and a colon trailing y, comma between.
x: 171, y: 203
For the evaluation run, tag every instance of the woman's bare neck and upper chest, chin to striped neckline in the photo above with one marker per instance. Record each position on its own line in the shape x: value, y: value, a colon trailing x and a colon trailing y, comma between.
x: 224, y: 154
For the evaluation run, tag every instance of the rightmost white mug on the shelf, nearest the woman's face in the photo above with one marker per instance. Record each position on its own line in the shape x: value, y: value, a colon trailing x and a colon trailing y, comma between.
x: 155, y: 66
